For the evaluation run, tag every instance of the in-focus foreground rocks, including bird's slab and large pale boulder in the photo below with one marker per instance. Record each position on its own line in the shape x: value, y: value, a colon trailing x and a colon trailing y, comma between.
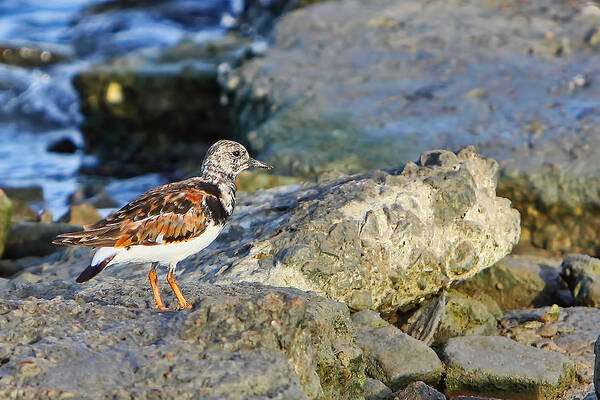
x: 335, y: 290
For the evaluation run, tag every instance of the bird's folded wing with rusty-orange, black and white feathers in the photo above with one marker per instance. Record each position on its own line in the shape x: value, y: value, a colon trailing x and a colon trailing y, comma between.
x: 166, y: 214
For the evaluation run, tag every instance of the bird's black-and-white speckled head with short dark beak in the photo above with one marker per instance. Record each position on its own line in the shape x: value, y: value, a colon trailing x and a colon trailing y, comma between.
x: 228, y: 158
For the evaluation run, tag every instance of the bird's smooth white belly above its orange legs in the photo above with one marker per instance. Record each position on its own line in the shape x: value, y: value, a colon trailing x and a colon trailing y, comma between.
x: 166, y: 254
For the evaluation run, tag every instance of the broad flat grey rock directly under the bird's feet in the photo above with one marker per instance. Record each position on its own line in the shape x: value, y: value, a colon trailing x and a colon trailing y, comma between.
x: 239, y: 340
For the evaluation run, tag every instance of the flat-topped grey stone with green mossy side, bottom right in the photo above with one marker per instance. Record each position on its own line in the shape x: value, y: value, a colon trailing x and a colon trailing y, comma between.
x: 492, y: 366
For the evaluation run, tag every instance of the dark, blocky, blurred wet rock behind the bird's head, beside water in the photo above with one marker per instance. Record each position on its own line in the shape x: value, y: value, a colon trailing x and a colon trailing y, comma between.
x: 139, y: 113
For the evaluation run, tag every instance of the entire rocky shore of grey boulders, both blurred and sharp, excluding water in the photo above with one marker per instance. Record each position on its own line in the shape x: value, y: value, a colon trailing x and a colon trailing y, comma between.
x: 376, y: 267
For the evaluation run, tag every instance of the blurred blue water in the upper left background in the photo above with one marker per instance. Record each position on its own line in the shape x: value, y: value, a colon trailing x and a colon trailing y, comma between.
x: 39, y: 105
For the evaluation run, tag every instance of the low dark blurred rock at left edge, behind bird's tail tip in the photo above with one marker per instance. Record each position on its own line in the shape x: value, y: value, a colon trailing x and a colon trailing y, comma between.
x: 34, y: 238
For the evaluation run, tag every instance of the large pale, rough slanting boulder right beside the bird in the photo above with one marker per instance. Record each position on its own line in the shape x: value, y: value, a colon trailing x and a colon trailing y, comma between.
x: 380, y: 241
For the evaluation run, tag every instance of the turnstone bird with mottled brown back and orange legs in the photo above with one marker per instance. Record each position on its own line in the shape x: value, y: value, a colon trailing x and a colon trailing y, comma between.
x: 168, y: 223
